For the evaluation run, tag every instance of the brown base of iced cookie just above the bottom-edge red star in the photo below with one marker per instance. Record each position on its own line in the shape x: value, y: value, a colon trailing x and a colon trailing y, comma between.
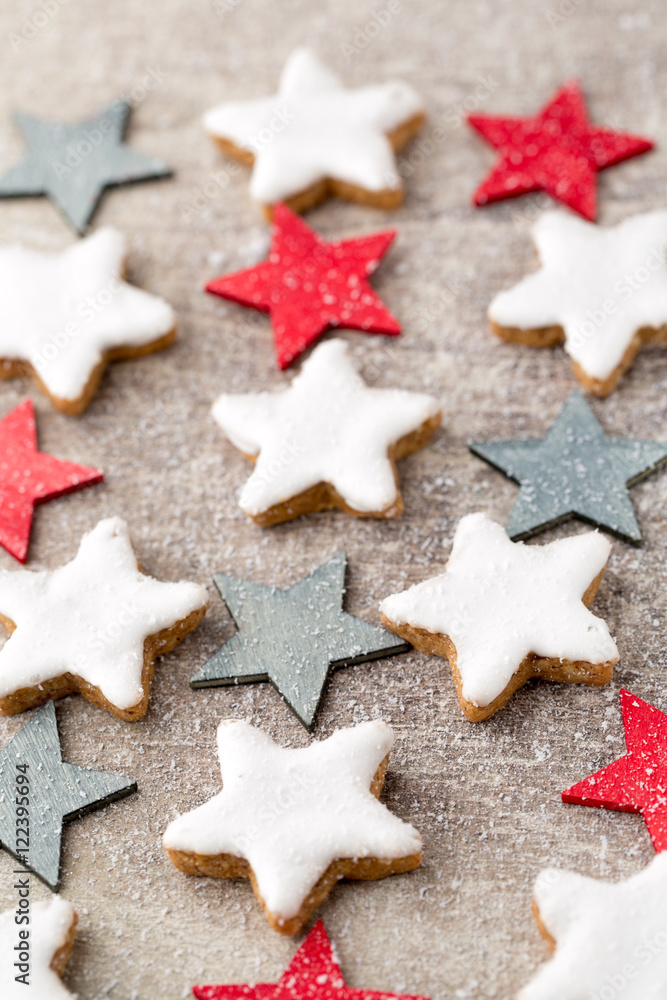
x: 230, y: 866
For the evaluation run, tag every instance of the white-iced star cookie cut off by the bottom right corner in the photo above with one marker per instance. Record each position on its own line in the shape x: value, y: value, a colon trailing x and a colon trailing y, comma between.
x: 610, y: 939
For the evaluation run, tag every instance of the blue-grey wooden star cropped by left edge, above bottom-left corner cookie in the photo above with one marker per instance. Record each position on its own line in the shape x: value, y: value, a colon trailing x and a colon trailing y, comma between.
x: 32, y: 769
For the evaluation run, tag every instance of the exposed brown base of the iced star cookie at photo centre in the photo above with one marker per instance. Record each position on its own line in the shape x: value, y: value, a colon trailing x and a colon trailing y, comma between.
x: 324, y: 496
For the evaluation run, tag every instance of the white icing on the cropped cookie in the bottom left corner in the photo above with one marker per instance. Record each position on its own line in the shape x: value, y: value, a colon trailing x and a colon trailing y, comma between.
x: 50, y: 923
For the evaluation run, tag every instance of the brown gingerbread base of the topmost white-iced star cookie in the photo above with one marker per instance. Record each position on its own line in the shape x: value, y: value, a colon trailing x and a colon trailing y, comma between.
x: 329, y: 187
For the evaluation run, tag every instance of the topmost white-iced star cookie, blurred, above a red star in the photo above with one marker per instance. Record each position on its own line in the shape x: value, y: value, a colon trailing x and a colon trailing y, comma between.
x: 315, y: 138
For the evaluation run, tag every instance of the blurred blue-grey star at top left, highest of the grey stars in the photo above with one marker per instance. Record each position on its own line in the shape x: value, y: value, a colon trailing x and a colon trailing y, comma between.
x: 73, y: 164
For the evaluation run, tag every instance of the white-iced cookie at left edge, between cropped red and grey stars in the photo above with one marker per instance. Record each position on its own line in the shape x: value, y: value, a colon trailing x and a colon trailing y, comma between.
x: 93, y: 626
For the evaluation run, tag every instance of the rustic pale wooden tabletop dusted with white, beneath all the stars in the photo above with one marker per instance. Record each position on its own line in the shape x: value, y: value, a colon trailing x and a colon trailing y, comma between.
x: 487, y: 797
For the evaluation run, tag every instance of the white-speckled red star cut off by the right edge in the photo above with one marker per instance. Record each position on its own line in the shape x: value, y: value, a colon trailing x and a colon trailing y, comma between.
x: 636, y: 783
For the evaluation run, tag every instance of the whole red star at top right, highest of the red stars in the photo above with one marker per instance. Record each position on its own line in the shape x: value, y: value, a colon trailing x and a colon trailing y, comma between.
x: 557, y: 151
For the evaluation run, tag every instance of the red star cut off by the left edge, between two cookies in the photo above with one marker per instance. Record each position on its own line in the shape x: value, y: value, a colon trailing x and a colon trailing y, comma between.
x: 29, y: 477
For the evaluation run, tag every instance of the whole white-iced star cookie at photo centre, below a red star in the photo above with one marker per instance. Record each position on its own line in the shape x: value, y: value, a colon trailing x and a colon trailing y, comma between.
x: 327, y: 441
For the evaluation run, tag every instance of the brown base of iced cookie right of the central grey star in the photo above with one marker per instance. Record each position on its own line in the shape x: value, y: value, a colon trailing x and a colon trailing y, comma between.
x: 560, y: 671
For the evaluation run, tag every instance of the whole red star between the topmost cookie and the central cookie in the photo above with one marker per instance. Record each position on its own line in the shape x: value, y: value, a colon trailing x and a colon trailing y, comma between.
x: 308, y: 285
